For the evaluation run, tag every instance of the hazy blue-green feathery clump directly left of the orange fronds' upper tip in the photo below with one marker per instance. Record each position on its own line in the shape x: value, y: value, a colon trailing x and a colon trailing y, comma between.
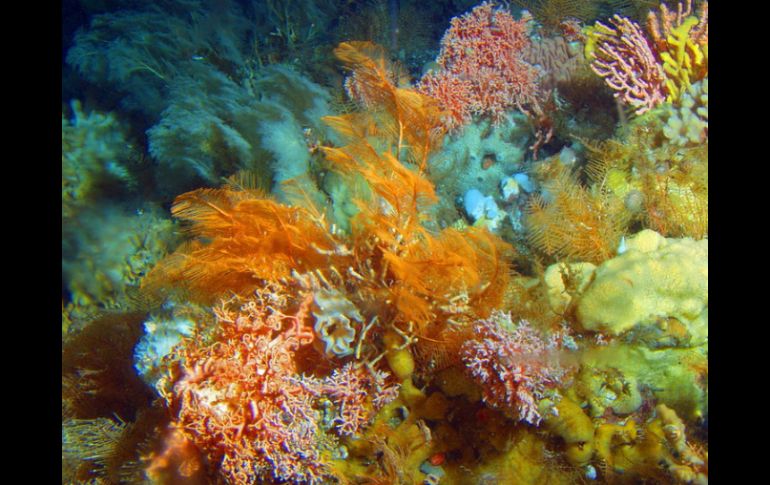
x: 215, y: 127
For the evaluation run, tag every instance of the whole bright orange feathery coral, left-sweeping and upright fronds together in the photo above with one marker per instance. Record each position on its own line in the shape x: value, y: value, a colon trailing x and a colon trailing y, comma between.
x: 392, y: 267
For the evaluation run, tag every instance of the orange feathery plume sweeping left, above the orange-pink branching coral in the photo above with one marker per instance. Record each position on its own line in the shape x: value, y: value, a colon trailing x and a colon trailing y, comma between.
x: 241, y: 237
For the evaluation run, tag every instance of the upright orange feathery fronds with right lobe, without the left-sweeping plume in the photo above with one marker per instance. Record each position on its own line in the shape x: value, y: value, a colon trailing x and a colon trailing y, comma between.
x: 420, y: 271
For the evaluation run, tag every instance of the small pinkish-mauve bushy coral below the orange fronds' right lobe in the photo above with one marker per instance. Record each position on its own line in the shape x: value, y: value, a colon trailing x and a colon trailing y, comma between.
x: 516, y: 364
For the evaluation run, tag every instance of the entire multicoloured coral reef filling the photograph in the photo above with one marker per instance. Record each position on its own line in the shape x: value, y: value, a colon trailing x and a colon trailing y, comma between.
x: 484, y: 270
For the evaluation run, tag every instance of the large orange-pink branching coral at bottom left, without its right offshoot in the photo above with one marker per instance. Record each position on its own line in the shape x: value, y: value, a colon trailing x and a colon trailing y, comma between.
x: 236, y: 398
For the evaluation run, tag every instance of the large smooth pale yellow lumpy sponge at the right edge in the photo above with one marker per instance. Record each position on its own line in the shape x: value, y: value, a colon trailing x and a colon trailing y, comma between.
x: 655, y: 278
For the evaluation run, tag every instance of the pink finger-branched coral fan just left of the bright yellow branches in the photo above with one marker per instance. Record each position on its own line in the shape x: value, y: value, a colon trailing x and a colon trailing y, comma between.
x: 626, y: 61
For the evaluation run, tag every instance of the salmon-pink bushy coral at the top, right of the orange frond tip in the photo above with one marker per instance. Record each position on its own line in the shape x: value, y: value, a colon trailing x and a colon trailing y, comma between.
x: 481, y: 67
